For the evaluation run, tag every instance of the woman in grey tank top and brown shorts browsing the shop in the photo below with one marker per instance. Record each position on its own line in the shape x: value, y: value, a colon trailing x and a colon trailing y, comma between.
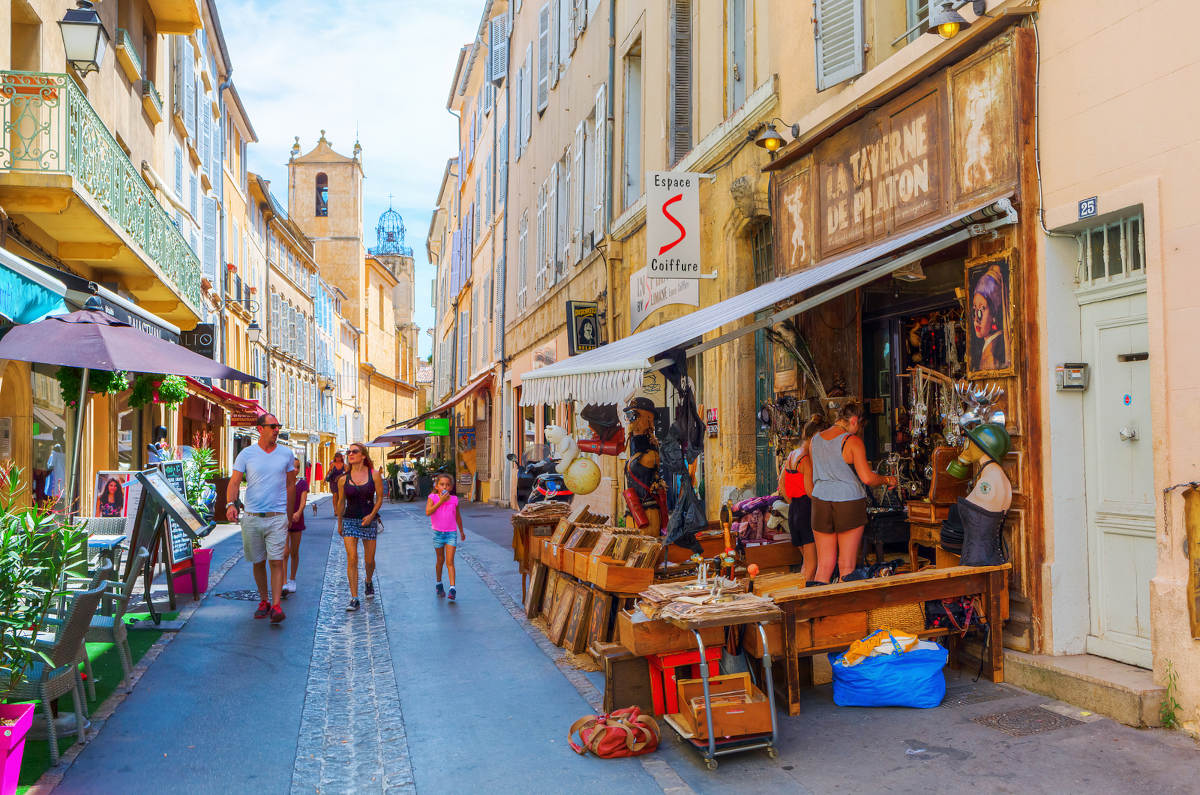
x: 839, y: 501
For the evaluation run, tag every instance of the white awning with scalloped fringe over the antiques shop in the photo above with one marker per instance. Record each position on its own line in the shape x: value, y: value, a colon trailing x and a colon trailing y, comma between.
x: 614, y: 372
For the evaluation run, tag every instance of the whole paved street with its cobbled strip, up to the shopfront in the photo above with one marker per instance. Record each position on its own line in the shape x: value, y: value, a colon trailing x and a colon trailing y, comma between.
x: 416, y: 694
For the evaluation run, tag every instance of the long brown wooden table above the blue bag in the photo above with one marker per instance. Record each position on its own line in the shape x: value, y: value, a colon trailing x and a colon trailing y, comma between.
x: 830, y: 602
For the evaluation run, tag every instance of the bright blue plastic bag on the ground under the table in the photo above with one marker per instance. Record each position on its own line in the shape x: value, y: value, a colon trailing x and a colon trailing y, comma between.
x: 909, y: 679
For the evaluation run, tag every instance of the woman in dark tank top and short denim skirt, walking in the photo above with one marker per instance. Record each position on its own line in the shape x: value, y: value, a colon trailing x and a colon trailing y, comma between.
x: 359, y: 499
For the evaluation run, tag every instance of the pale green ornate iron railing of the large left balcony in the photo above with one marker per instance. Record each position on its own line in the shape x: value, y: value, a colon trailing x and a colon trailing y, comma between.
x: 47, y: 127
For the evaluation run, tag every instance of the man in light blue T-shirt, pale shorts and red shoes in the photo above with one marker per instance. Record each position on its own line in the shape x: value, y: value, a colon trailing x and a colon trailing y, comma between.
x: 271, y: 474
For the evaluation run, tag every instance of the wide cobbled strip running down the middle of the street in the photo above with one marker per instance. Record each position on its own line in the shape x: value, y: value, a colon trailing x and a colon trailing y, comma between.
x: 352, y: 731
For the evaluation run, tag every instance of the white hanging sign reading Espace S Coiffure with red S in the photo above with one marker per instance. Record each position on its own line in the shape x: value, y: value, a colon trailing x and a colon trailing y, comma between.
x: 673, y: 225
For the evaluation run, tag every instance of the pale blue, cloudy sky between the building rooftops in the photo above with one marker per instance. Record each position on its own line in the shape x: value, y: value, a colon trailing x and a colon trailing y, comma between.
x: 380, y: 70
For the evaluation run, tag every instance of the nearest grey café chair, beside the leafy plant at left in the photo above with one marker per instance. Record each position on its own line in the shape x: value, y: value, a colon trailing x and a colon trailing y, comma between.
x: 47, y: 682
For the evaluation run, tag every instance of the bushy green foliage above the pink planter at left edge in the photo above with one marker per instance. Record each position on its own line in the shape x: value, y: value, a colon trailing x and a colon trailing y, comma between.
x: 38, y: 552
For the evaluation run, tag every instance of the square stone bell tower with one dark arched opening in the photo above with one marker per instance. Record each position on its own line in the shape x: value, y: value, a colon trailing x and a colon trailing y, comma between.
x: 326, y: 200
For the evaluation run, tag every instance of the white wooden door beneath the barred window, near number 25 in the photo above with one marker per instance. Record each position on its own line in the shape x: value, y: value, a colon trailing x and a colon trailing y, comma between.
x: 1119, y: 465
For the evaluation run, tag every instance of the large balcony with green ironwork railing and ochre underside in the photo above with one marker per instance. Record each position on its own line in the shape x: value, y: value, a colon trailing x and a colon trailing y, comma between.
x: 62, y: 171
